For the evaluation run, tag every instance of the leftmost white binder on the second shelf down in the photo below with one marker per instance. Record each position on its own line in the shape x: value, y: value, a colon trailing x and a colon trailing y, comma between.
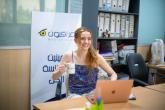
x: 101, y: 24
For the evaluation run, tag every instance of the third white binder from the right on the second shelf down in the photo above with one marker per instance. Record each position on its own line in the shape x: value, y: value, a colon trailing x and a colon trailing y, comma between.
x: 122, y: 30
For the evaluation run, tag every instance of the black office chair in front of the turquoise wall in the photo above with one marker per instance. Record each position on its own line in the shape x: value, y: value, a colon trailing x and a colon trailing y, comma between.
x: 138, y: 69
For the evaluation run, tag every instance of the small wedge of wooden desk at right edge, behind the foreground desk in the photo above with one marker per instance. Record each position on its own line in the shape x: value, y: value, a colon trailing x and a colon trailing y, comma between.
x: 158, y: 87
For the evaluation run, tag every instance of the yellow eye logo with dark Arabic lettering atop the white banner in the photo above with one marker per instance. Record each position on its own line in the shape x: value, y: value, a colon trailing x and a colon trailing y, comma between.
x: 55, y: 34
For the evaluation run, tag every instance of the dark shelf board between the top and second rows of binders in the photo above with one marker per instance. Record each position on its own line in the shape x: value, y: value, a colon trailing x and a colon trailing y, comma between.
x: 117, y: 12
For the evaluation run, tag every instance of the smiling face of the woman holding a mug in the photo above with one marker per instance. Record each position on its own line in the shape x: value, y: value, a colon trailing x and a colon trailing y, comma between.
x: 85, y: 40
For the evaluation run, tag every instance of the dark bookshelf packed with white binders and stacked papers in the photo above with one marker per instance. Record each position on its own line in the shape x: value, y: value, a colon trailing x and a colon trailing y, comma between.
x: 117, y: 28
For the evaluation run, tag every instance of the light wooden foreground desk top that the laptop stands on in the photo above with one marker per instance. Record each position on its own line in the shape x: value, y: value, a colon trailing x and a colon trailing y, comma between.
x: 147, y: 99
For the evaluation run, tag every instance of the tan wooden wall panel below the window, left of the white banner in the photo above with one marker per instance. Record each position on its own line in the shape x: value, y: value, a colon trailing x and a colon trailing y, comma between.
x: 15, y: 79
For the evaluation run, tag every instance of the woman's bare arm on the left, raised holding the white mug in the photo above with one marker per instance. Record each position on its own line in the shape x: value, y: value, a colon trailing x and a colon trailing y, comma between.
x: 61, y: 67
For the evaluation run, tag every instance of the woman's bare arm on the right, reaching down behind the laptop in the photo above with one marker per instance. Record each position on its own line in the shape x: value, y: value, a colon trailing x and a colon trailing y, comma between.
x: 104, y: 65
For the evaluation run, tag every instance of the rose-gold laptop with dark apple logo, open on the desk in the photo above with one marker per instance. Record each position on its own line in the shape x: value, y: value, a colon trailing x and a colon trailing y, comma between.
x: 112, y: 91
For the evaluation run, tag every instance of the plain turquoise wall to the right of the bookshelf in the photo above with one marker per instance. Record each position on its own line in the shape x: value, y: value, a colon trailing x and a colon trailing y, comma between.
x: 151, y: 21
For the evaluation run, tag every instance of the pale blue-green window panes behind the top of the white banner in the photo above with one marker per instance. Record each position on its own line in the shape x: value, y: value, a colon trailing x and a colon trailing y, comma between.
x: 15, y: 17
